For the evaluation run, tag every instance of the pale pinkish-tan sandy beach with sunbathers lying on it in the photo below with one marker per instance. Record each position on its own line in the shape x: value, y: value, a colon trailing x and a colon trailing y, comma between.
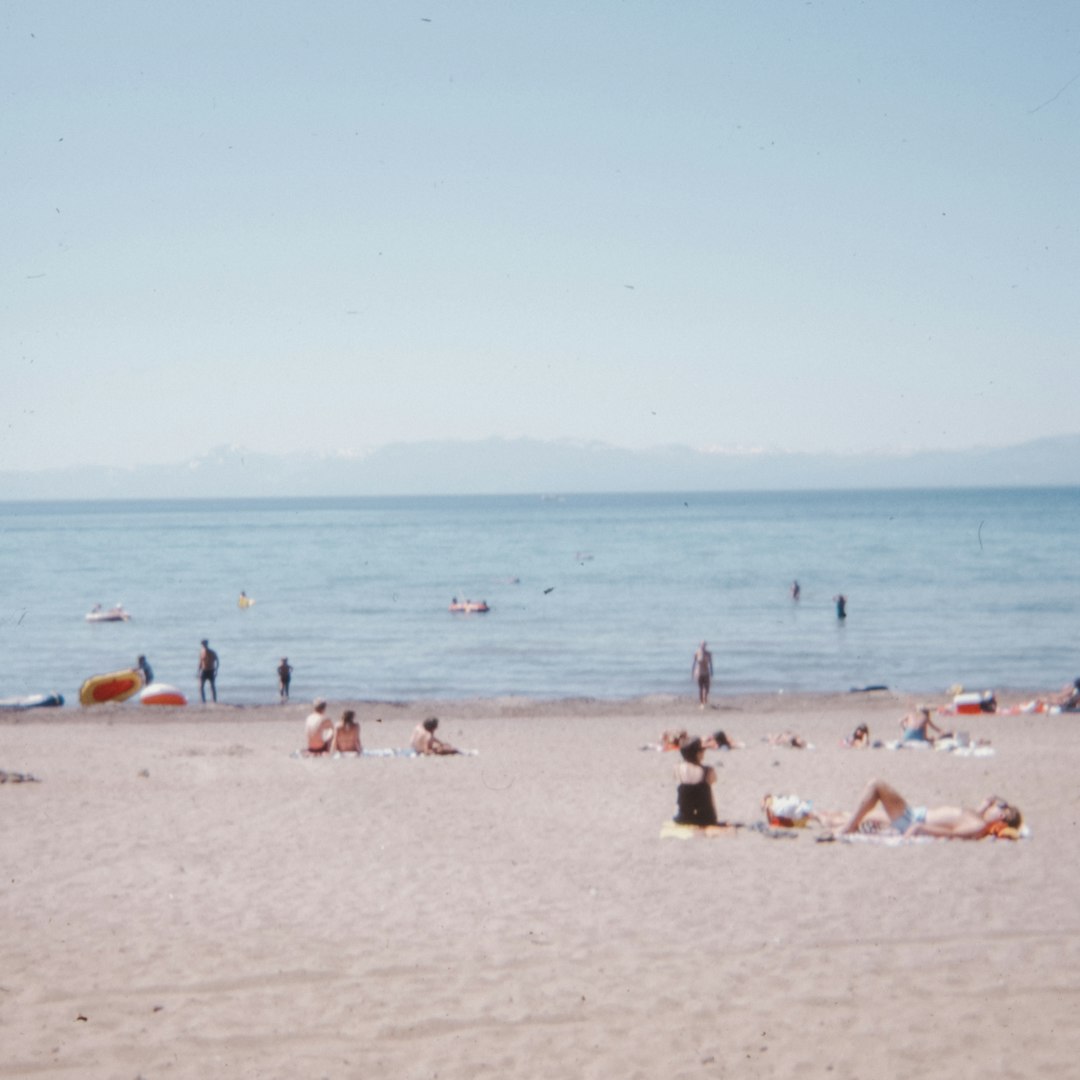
x: 183, y: 897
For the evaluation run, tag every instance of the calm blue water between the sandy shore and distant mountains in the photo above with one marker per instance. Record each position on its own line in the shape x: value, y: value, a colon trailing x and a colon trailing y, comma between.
x: 604, y: 597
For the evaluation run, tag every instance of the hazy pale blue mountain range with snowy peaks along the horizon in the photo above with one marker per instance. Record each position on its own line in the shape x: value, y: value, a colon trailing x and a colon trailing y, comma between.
x: 525, y: 466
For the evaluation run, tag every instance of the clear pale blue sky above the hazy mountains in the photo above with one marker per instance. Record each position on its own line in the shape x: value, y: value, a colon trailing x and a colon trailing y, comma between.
x: 326, y: 227
